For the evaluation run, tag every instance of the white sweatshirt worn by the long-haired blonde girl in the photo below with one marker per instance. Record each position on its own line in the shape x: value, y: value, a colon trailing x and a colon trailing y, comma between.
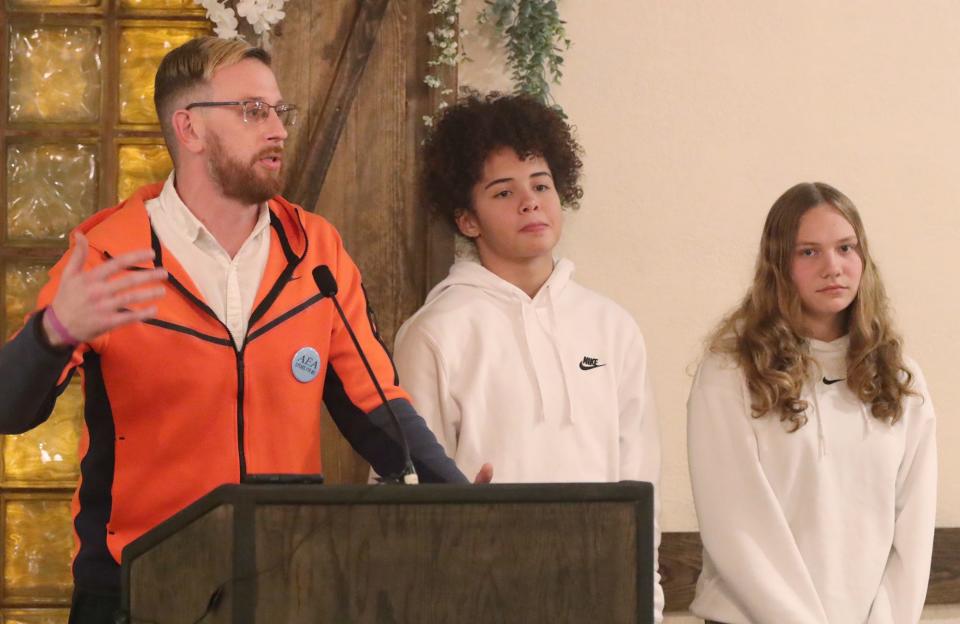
x: 831, y: 524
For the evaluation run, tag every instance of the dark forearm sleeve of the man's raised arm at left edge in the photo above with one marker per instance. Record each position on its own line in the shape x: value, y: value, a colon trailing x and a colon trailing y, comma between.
x: 29, y: 370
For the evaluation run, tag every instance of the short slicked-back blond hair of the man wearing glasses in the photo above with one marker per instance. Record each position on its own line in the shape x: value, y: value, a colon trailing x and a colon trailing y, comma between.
x: 192, y: 65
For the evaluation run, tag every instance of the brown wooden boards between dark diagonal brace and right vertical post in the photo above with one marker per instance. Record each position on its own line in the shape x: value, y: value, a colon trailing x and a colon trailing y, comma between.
x: 367, y: 193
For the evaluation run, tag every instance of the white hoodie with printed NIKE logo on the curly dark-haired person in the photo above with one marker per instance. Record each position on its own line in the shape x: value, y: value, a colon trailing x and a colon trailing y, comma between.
x: 550, y: 389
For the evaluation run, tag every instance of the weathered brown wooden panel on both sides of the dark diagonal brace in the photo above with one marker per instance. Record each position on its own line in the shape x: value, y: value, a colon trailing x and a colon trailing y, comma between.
x: 369, y: 192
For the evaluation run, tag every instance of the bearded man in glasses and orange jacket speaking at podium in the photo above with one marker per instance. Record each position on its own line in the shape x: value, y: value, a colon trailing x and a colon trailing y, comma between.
x: 204, y: 345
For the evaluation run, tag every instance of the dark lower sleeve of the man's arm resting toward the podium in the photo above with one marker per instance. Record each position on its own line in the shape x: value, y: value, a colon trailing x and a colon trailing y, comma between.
x: 374, y: 436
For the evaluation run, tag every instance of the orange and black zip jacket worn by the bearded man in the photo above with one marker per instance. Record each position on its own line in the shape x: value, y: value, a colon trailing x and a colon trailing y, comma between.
x: 173, y: 409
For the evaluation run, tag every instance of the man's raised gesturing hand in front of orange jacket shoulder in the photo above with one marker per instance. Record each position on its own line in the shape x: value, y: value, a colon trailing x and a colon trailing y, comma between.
x: 91, y: 303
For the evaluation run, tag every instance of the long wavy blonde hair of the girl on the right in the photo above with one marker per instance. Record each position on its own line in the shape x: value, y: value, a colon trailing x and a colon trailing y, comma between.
x: 763, y: 333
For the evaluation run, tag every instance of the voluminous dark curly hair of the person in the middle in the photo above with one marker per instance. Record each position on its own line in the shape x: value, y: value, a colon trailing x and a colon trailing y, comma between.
x: 470, y: 130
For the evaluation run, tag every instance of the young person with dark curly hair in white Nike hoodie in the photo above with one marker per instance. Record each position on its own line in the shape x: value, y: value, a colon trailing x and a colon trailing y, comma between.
x: 509, y: 360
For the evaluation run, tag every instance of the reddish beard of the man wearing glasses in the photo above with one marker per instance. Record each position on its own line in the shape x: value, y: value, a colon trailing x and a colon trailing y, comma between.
x: 244, y: 182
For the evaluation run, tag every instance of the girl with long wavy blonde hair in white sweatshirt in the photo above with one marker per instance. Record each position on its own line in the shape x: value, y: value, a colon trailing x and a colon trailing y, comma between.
x: 812, y: 437
